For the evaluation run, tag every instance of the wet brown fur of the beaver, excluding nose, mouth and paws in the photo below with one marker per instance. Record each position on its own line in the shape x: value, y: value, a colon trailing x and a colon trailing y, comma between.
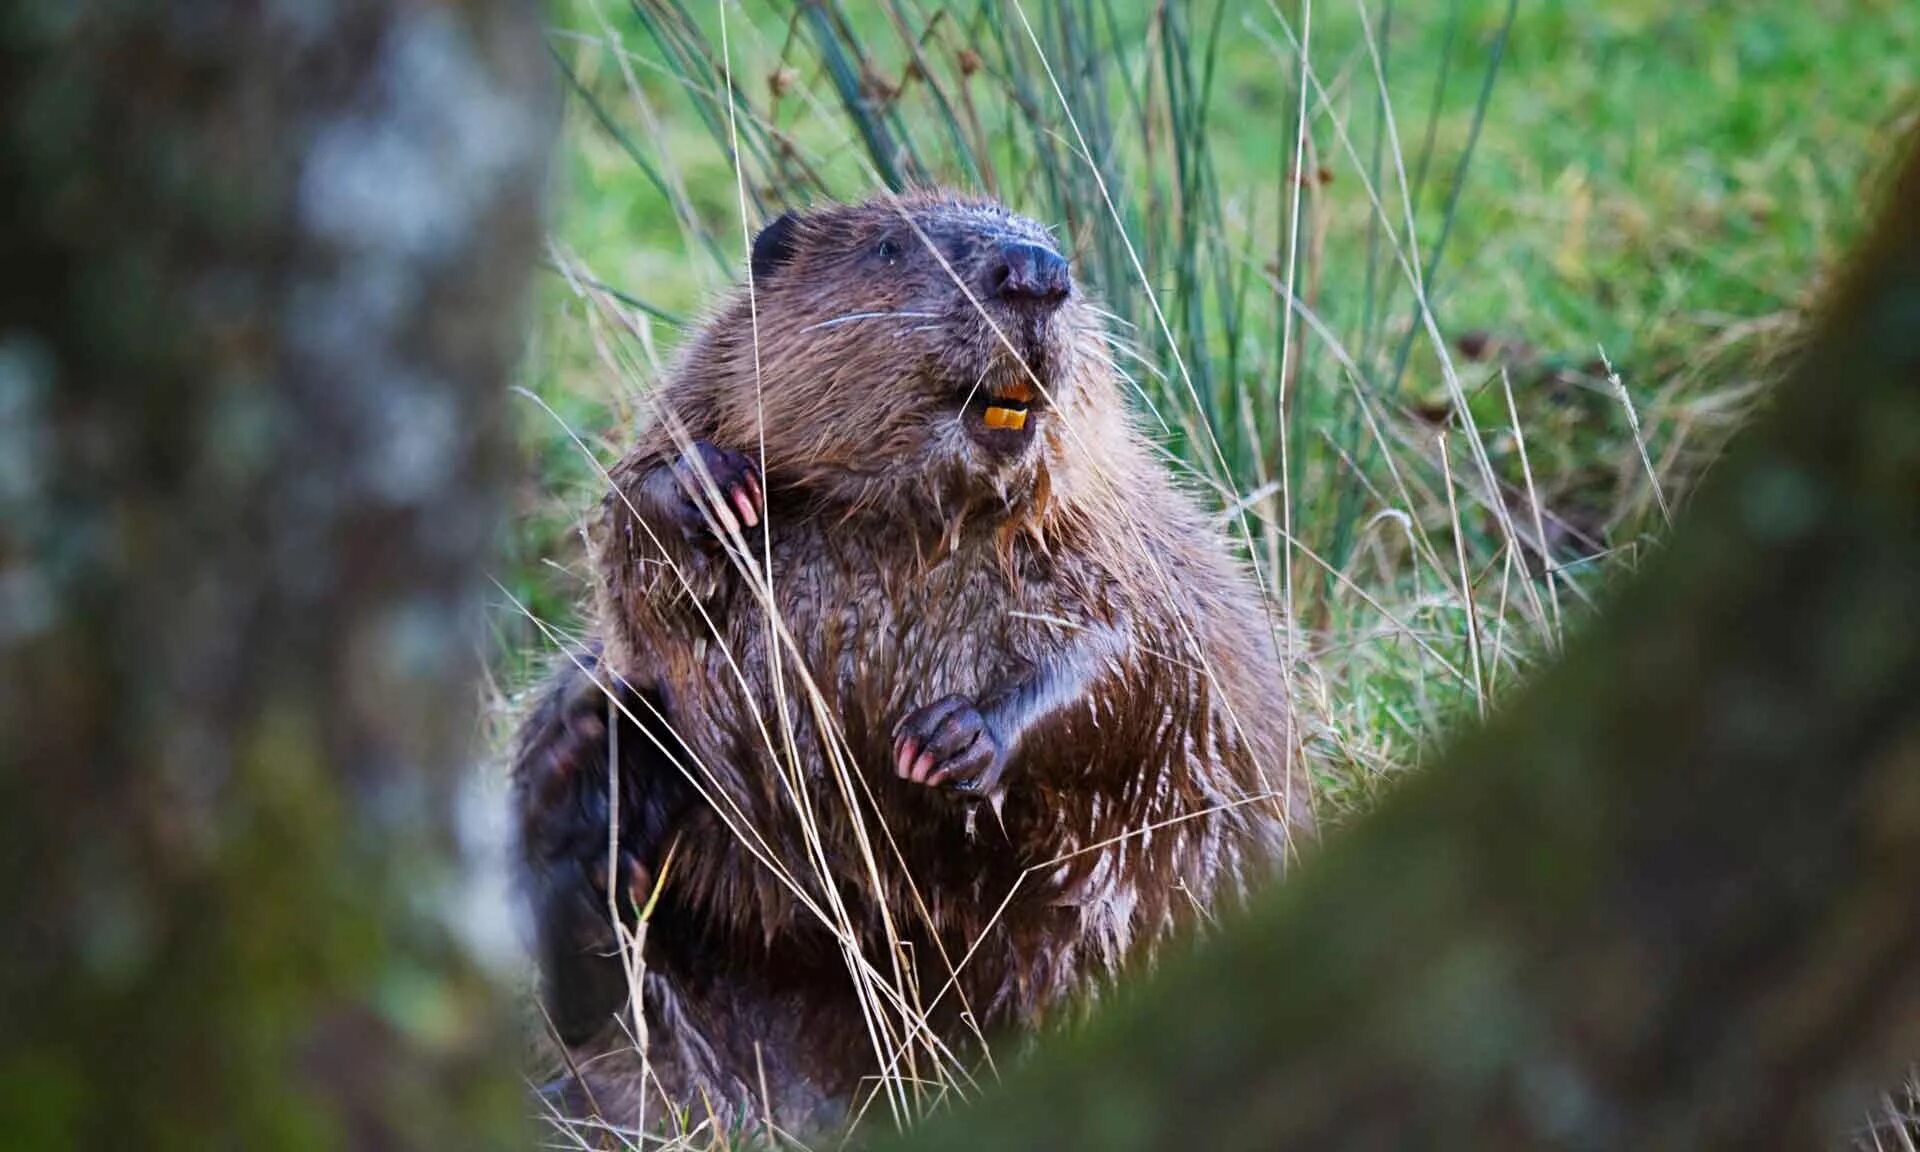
x: 907, y: 565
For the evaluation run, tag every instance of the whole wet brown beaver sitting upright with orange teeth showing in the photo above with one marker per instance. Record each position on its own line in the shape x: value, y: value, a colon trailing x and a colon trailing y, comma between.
x: 936, y: 698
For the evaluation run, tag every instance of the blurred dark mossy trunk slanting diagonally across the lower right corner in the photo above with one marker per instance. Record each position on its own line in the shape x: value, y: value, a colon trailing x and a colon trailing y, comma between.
x: 1668, y: 900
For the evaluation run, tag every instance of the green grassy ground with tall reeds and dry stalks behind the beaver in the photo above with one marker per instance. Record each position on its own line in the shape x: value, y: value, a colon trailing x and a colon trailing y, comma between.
x: 1616, y: 216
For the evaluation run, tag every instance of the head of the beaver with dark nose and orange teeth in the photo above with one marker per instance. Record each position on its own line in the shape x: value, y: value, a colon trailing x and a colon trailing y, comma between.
x: 919, y: 347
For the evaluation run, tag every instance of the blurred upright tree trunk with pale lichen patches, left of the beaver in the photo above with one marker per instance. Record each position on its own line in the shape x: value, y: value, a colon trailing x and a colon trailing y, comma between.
x: 262, y: 272
